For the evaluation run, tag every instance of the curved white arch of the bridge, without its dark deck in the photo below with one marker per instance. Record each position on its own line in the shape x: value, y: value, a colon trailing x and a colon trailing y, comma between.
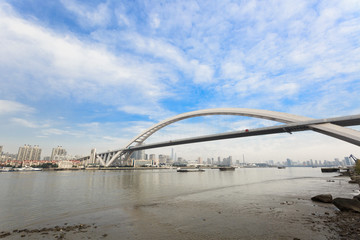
x: 346, y: 134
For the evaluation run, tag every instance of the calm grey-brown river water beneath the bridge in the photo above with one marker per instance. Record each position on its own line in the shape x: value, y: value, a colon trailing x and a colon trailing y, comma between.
x: 248, y: 203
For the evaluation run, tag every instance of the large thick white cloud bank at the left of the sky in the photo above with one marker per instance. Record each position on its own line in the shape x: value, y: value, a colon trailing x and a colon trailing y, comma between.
x: 33, y: 57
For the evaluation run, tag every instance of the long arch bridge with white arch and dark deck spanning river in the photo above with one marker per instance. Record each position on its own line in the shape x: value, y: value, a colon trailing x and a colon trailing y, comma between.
x: 334, y: 127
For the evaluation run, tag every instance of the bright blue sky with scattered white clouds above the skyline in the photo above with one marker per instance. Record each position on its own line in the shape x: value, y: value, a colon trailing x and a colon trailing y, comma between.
x: 94, y: 74
